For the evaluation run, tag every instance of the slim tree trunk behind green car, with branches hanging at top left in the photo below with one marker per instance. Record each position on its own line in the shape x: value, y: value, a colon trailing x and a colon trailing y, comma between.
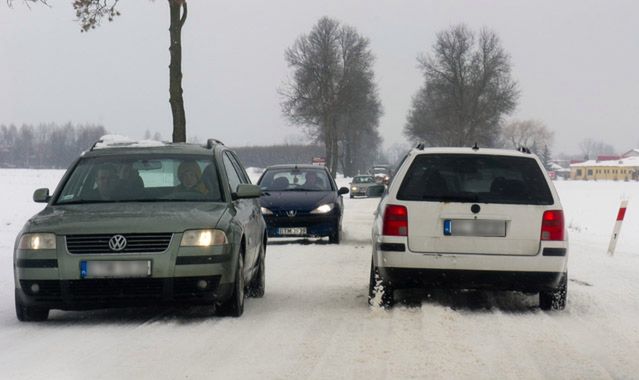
x: 91, y: 12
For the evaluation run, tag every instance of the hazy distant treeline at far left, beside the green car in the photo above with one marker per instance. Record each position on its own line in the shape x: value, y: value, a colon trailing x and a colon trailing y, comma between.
x: 45, y: 145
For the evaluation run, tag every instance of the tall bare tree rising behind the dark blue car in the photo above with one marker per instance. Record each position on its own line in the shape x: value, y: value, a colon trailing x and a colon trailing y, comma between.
x: 332, y: 92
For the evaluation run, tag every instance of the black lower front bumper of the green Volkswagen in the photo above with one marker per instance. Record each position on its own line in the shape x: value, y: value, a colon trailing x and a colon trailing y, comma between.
x: 103, y: 293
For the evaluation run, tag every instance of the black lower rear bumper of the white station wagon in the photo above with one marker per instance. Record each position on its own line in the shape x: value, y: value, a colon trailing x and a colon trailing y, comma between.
x: 472, y: 279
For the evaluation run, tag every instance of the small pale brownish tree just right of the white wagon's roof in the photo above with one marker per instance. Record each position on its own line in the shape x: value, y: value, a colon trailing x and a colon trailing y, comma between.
x: 532, y: 134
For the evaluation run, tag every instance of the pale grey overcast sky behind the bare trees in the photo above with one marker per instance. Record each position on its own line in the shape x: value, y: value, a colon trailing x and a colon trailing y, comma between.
x: 576, y: 62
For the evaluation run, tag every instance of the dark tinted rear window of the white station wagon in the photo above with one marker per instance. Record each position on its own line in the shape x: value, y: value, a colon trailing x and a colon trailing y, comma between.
x: 475, y: 178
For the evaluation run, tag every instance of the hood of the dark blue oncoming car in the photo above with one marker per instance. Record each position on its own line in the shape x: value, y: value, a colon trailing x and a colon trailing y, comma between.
x: 296, y: 200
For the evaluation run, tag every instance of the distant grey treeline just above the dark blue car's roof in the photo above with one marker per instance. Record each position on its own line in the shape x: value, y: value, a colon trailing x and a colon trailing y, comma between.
x: 263, y: 156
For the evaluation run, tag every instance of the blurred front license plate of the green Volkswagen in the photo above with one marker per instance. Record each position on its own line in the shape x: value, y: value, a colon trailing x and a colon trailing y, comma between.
x: 115, y: 268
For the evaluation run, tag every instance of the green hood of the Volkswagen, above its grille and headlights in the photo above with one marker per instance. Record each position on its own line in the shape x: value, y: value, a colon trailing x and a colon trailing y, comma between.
x: 126, y: 217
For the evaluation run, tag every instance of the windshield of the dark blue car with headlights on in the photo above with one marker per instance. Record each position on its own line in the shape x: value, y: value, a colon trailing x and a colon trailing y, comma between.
x: 295, y: 179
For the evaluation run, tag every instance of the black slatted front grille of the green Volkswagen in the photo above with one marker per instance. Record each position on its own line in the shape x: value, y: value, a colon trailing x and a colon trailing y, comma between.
x: 136, y: 243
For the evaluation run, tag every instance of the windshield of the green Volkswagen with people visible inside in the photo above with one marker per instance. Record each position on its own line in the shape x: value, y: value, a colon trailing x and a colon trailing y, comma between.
x: 142, y: 178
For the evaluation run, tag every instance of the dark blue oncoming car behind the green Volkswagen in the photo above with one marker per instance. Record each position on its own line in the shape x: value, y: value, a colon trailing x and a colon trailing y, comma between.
x: 301, y: 201
